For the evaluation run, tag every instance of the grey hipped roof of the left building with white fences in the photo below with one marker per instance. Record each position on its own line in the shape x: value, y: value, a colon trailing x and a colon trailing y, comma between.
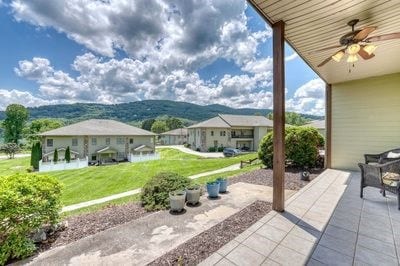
x: 98, y: 127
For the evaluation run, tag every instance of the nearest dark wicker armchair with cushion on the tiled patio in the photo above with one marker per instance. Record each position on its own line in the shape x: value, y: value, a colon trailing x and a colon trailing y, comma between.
x: 383, y: 176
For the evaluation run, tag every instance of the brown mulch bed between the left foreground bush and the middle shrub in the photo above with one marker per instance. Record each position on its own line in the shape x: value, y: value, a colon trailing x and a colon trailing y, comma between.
x: 82, y: 225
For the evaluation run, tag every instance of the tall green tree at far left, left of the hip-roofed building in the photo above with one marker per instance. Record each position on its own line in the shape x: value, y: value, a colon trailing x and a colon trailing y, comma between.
x: 16, y: 117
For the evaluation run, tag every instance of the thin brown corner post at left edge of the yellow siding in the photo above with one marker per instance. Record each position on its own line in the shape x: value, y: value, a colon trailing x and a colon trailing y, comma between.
x: 328, y: 126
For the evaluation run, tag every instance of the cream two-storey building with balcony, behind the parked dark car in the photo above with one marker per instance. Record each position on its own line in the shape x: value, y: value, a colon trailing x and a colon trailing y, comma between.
x: 238, y: 131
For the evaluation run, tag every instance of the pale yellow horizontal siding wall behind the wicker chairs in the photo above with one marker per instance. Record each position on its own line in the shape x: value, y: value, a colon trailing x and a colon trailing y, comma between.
x: 365, y: 119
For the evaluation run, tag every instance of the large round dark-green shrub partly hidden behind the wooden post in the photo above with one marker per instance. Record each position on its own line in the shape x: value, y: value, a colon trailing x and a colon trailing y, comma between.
x: 301, y: 146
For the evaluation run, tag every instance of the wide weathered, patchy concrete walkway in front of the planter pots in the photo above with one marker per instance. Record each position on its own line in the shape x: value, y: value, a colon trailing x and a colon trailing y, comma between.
x: 141, y: 241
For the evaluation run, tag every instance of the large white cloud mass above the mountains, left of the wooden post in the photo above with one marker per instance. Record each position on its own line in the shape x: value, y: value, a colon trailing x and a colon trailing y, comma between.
x: 164, y: 53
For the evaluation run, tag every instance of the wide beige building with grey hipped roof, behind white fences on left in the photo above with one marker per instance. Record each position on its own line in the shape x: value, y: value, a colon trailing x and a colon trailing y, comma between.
x: 99, y: 140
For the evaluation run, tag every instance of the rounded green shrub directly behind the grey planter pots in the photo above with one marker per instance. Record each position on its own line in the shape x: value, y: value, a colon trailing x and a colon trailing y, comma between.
x: 155, y: 193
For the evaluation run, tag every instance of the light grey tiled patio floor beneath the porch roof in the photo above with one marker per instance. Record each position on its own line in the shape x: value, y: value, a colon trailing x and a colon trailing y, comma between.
x: 324, y: 223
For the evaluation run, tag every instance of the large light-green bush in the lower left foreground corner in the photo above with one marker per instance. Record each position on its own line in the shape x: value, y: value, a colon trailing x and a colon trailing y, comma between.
x: 27, y: 201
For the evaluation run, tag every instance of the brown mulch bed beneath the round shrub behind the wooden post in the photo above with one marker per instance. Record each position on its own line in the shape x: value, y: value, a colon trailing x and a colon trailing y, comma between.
x: 264, y: 177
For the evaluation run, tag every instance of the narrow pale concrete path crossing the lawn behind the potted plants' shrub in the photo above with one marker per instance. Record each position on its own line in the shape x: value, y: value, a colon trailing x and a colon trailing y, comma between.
x: 137, y: 191
